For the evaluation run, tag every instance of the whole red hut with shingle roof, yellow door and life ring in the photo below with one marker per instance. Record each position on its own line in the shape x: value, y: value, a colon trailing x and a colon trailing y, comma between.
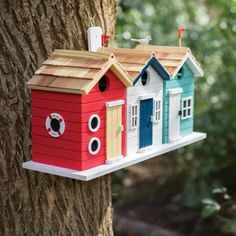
x: 78, y: 110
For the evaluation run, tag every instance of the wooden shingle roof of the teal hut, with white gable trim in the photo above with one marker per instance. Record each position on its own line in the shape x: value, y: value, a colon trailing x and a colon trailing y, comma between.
x: 172, y: 58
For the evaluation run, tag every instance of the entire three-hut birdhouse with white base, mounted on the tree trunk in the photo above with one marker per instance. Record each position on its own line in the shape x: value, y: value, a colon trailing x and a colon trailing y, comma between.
x: 97, y: 112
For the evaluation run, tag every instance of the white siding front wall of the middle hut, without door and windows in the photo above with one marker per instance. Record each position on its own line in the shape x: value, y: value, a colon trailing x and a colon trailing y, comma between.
x: 154, y: 88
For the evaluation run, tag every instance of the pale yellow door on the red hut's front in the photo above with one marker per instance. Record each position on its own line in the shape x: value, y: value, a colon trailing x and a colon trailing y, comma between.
x: 114, y: 130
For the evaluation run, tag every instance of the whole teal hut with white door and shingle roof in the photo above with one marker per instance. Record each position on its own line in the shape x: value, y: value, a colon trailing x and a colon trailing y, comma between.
x: 178, y: 91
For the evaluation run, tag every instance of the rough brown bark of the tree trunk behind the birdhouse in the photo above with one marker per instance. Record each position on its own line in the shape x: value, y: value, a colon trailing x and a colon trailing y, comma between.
x: 32, y: 203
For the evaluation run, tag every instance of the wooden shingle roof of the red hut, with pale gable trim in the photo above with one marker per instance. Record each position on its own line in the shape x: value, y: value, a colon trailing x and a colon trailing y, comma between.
x: 73, y: 71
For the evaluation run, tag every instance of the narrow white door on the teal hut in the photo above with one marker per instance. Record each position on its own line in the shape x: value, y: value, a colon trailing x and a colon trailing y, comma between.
x: 174, y: 116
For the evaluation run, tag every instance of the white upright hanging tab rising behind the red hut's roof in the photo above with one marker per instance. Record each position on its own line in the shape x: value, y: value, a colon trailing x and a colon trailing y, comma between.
x: 94, y: 38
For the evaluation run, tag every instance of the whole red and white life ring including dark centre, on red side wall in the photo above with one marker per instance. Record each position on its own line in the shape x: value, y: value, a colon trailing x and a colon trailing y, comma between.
x: 55, y: 125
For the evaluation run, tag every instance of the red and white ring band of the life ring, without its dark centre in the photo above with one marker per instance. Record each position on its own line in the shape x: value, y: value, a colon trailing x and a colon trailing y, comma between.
x: 49, y: 129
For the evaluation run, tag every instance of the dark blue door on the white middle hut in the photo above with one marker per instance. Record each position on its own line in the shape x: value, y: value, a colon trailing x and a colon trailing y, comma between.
x: 145, y: 132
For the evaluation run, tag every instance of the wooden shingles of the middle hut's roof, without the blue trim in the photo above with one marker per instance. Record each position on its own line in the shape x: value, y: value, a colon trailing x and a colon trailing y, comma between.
x: 132, y: 60
